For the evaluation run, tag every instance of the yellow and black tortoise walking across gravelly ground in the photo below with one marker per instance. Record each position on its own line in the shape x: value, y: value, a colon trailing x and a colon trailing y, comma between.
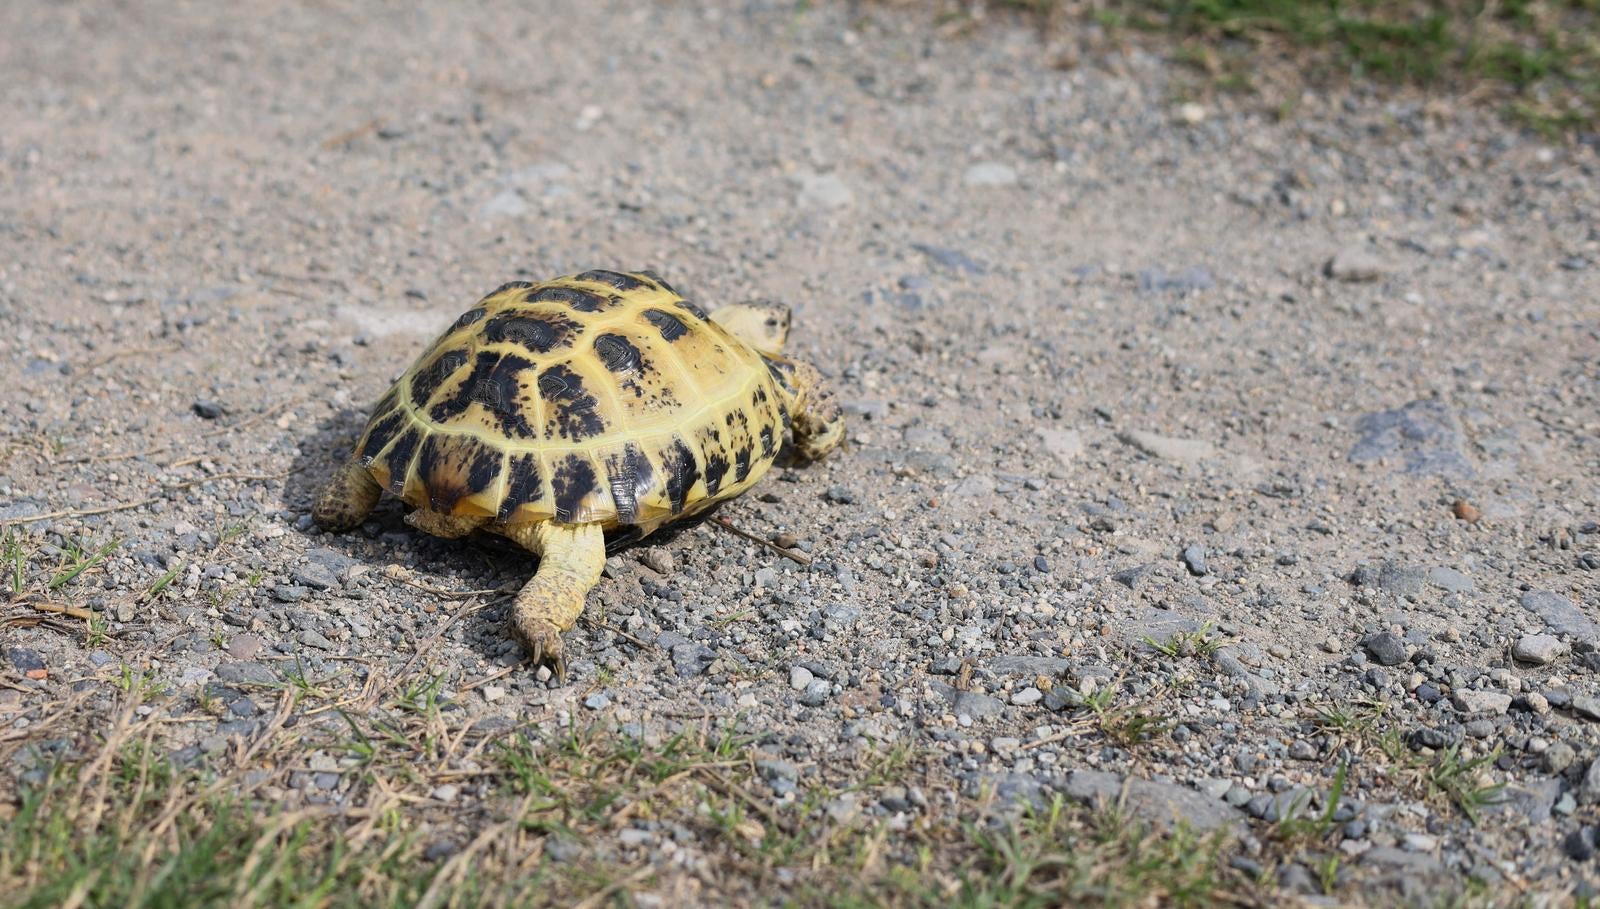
x: 554, y: 412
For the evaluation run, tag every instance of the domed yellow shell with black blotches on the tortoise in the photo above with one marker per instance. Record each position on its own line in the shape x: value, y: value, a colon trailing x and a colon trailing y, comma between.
x: 602, y: 398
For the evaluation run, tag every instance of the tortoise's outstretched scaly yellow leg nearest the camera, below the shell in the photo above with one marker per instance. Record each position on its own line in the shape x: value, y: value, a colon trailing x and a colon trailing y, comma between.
x: 570, y: 563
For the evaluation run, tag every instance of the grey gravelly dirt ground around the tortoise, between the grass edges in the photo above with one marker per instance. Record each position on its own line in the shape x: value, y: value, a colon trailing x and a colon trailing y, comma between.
x: 1281, y: 434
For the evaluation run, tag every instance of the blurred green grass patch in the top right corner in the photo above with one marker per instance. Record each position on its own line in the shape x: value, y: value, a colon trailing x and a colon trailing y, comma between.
x: 1538, y: 60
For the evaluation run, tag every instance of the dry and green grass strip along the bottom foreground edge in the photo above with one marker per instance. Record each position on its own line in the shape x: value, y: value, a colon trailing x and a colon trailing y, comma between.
x: 121, y: 817
